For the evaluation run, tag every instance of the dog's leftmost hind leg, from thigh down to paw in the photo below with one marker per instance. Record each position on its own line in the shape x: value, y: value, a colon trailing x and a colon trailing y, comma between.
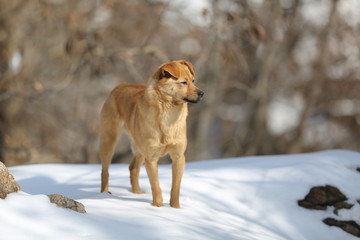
x: 110, y: 126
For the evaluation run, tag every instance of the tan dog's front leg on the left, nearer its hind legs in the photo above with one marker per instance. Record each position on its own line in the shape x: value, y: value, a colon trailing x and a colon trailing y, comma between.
x: 152, y: 172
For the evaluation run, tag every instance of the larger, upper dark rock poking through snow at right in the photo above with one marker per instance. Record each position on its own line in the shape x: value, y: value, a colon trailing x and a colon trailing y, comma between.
x: 320, y: 197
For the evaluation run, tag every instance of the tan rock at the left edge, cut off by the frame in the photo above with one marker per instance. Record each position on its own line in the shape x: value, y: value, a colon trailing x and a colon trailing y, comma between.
x: 7, y: 182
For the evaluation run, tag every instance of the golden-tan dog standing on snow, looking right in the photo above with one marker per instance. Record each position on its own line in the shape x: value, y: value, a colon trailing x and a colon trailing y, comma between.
x: 154, y: 115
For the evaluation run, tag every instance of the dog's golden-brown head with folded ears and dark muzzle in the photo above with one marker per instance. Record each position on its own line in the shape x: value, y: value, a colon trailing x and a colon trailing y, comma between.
x: 176, y: 82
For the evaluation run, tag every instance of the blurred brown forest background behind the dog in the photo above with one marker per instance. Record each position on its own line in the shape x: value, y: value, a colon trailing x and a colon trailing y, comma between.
x: 280, y: 76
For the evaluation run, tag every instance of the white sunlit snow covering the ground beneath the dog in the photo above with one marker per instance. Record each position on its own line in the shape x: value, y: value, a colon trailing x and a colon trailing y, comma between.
x: 239, y: 198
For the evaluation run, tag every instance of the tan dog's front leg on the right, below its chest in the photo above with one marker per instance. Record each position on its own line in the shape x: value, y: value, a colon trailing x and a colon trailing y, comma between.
x: 178, y: 165
